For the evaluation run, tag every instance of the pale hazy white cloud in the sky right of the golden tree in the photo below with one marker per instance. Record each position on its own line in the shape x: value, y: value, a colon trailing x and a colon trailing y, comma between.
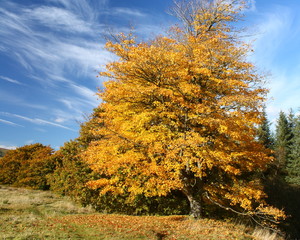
x: 276, y: 38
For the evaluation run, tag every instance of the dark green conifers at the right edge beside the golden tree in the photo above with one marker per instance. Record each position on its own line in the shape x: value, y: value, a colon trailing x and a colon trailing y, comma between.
x: 283, y: 182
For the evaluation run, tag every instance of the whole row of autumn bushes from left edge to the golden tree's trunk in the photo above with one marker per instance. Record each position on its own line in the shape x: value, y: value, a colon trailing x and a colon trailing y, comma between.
x: 40, y: 167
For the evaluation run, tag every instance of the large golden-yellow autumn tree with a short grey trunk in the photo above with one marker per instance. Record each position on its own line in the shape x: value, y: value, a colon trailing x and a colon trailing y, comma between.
x: 180, y: 112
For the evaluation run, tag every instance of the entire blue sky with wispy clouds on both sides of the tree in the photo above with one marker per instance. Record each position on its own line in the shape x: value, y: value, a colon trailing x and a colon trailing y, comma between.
x: 52, y: 50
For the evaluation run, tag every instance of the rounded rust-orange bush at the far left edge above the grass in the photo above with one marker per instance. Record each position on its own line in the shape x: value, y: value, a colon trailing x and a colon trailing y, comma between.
x: 27, y: 166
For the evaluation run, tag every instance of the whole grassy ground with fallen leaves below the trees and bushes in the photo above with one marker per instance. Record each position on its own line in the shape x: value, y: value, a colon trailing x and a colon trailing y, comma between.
x: 31, y: 214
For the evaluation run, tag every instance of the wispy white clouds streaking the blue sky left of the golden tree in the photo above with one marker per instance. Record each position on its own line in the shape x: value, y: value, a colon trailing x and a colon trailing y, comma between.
x: 58, y: 46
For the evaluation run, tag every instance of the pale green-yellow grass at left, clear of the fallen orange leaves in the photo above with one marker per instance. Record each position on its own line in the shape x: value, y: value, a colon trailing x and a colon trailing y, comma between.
x: 24, y: 213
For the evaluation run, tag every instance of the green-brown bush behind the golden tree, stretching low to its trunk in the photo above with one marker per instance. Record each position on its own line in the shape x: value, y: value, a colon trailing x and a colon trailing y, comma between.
x: 72, y: 174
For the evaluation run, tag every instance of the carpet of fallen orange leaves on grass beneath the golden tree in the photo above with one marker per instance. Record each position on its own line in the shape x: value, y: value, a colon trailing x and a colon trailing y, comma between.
x: 151, y: 227
